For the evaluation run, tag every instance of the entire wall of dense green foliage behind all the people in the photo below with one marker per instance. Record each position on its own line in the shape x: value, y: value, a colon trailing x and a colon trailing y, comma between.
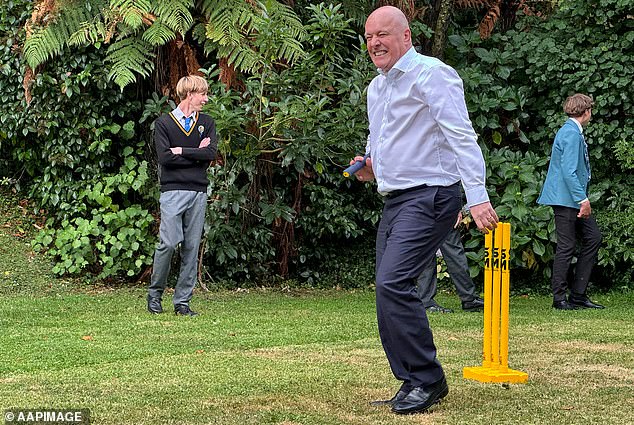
x: 279, y: 205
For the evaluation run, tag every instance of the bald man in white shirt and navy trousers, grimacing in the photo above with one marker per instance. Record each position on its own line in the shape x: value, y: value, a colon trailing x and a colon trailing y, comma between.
x: 421, y: 146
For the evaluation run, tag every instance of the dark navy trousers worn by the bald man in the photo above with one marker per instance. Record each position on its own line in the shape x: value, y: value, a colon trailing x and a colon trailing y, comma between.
x: 414, y: 224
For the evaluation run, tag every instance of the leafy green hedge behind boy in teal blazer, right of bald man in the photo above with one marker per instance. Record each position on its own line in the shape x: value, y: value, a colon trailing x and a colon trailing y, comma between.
x: 528, y: 72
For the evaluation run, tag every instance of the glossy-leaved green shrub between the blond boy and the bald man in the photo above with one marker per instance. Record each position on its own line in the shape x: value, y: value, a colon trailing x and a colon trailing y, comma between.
x: 285, y: 137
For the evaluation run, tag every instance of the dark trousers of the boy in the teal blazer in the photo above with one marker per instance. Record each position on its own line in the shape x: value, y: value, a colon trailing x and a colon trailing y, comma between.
x: 567, y: 224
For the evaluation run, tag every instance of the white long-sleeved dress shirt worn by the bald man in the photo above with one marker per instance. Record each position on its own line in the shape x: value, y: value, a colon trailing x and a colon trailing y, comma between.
x: 420, y: 132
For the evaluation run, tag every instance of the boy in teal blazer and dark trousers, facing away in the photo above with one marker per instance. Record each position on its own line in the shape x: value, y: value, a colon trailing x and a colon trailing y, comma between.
x: 565, y: 189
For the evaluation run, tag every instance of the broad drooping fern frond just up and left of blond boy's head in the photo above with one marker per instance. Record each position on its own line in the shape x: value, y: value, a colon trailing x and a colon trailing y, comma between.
x: 129, y: 56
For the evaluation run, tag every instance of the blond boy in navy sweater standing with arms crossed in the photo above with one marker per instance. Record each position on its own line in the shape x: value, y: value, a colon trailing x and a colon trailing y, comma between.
x: 185, y: 142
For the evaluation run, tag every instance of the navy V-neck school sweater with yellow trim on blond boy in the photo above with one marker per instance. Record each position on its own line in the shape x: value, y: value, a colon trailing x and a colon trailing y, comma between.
x: 189, y: 170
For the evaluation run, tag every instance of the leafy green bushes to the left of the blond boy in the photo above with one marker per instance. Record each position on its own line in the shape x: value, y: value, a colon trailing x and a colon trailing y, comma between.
x: 76, y: 147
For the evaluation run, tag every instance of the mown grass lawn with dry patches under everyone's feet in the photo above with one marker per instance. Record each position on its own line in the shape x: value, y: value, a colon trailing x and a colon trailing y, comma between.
x: 287, y: 358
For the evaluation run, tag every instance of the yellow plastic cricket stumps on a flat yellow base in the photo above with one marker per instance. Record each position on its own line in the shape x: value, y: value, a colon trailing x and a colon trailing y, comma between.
x: 495, y: 352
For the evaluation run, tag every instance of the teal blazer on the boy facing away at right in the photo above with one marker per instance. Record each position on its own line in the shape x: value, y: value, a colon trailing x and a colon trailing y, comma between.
x: 569, y: 170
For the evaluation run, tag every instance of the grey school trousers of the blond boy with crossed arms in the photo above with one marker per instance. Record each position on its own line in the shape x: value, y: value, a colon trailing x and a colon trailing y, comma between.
x: 182, y: 221
